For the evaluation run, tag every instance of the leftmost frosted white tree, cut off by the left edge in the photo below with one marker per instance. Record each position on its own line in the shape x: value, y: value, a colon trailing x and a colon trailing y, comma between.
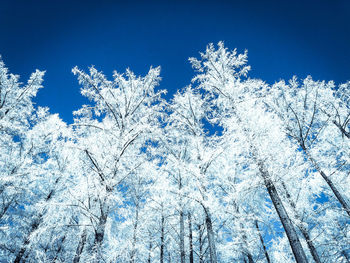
x: 16, y: 112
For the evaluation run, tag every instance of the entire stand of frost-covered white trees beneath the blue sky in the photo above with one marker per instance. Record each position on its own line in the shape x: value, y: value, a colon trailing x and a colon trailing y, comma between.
x: 231, y: 169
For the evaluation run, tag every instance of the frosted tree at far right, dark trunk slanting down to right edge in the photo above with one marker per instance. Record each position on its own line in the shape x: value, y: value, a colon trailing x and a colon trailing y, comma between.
x: 302, y: 110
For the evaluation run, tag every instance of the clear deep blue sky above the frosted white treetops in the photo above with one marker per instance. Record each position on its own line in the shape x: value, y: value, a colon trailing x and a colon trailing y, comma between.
x: 283, y: 38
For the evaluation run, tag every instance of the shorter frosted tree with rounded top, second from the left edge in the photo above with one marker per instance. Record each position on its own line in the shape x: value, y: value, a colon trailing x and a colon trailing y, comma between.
x: 47, y: 139
